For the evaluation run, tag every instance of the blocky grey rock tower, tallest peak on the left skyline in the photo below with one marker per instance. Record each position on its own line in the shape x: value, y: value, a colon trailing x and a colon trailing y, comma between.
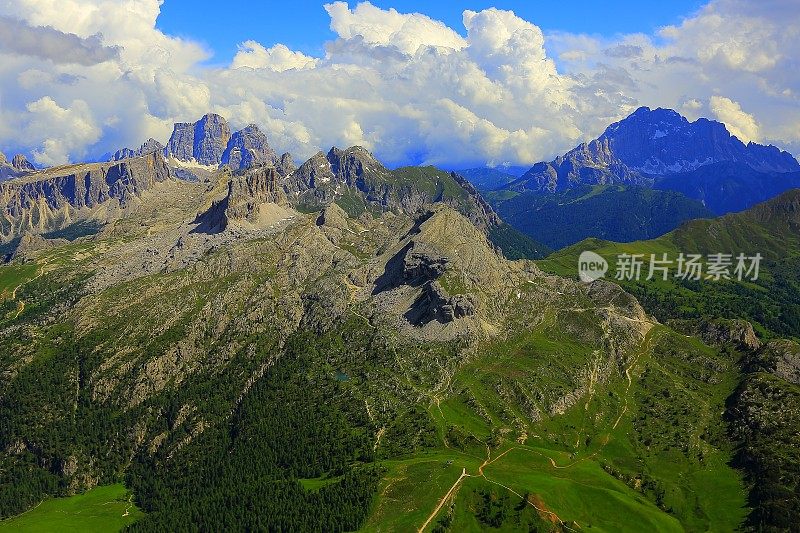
x: 204, y: 141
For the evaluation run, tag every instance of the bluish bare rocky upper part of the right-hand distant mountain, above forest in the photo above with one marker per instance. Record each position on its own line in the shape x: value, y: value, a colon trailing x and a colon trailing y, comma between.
x: 652, y: 143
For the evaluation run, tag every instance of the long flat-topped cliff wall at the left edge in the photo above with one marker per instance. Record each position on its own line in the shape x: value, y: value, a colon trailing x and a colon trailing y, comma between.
x: 49, y: 200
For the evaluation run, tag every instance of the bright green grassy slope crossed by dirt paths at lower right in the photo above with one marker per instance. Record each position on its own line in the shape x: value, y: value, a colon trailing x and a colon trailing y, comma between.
x: 584, y: 467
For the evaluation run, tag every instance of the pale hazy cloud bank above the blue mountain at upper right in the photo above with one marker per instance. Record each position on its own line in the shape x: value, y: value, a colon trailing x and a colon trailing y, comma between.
x: 744, y: 50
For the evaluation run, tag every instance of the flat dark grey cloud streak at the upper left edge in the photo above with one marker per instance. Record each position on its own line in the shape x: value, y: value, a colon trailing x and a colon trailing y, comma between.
x: 47, y: 43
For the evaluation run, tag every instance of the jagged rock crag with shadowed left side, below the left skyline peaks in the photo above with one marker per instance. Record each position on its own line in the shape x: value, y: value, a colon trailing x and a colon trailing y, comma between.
x: 243, y: 202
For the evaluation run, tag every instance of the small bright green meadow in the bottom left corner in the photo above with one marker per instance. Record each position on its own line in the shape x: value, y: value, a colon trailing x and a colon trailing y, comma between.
x: 106, y: 508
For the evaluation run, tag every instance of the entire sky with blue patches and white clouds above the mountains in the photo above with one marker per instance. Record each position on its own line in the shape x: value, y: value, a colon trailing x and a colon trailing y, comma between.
x: 456, y: 84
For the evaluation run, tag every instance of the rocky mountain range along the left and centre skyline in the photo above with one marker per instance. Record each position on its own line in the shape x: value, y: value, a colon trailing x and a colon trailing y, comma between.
x: 54, y: 199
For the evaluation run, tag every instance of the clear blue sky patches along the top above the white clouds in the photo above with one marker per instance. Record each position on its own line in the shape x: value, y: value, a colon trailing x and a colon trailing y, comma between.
x: 304, y: 25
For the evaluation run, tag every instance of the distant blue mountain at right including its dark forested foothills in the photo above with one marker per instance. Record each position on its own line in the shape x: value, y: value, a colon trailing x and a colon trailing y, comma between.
x: 650, y: 172
